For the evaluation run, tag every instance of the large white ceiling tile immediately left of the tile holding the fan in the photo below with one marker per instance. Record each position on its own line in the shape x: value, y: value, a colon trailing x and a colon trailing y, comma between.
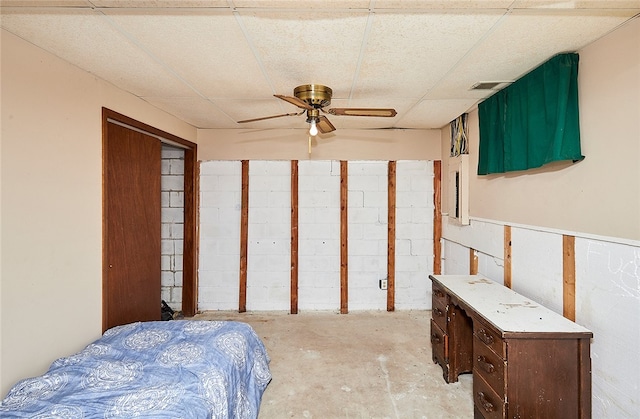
x: 220, y: 60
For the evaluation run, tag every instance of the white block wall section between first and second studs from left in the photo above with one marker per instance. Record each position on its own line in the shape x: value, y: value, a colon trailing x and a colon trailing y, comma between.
x: 269, y: 236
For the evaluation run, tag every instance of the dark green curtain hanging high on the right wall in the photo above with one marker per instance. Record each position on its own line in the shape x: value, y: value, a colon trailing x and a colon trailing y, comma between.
x: 533, y: 121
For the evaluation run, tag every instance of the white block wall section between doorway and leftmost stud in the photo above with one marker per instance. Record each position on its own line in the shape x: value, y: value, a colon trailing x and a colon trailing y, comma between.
x: 219, y: 256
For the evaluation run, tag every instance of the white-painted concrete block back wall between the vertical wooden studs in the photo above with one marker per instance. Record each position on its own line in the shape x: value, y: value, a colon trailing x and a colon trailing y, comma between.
x: 269, y: 235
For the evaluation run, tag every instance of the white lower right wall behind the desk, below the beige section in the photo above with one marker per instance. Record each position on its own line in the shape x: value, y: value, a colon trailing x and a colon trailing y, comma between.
x: 607, y: 295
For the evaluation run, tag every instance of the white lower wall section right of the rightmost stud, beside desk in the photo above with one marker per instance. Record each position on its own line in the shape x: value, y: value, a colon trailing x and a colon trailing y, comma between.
x: 608, y: 303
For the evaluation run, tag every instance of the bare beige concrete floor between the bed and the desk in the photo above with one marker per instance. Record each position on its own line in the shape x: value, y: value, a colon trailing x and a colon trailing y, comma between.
x: 359, y: 365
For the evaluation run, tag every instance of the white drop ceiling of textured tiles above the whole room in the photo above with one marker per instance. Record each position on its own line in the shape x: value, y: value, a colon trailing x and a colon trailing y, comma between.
x: 214, y: 62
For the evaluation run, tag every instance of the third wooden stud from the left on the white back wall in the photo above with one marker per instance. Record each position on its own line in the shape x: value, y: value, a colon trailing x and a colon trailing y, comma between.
x: 344, y: 239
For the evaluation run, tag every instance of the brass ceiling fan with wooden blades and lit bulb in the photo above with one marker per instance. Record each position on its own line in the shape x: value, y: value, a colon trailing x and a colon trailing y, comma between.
x: 312, y: 99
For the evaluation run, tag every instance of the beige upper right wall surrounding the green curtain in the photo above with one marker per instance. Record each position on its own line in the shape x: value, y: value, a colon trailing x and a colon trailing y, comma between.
x: 599, y: 195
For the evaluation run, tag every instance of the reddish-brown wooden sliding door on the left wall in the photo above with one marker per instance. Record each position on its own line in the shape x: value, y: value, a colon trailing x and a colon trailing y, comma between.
x: 131, y: 282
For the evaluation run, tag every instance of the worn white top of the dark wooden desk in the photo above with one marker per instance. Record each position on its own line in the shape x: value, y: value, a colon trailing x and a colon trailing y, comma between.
x: 508, y: 311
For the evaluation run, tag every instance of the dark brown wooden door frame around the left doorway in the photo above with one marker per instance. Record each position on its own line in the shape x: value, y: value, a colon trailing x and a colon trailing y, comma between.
x: 191, y: 188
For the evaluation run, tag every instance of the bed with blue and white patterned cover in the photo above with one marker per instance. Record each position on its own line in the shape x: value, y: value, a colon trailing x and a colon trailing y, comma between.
x: 164, y: 369
